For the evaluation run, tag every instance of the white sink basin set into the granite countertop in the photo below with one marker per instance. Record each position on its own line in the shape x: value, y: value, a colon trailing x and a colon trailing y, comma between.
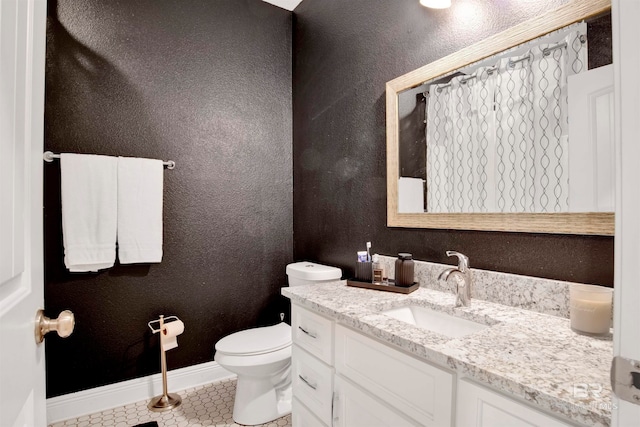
x: 435, y: 321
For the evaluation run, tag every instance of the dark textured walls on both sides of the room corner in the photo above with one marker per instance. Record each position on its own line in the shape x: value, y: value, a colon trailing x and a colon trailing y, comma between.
x: 208, y: 84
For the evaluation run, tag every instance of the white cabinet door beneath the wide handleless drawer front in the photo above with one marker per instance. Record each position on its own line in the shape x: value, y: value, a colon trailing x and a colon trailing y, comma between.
x: 355, y: 408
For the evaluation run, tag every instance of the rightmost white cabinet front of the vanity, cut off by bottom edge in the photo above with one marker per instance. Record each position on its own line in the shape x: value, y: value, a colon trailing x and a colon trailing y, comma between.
x: 480, y: 407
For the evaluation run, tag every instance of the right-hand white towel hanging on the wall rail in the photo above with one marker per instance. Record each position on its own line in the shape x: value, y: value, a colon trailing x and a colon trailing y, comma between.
x: 139, y: 210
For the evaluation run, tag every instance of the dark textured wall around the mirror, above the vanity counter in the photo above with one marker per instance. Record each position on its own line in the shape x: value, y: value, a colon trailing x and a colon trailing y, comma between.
x: 344, y: 52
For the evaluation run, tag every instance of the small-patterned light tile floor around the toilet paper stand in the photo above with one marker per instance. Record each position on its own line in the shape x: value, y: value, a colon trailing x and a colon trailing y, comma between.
x: 208, y: 405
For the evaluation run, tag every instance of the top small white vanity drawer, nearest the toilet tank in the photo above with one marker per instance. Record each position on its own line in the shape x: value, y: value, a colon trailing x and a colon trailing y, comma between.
x: 313, y: 332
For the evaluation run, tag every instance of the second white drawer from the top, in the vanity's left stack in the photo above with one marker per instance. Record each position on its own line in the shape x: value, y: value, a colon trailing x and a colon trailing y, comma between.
x: 312, y: 383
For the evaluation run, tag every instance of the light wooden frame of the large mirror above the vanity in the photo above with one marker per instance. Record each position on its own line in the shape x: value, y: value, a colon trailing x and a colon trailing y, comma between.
x: 590, y: 222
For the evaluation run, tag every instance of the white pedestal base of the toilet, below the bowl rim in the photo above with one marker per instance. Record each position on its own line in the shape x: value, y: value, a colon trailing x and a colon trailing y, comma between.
x: 257, y: 401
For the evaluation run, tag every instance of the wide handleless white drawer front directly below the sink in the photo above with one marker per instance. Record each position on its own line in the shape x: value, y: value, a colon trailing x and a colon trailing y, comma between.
x: 416, y: 388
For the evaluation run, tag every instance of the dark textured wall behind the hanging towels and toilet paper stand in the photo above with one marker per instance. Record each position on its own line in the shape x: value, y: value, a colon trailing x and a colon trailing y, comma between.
x: 204, y: 83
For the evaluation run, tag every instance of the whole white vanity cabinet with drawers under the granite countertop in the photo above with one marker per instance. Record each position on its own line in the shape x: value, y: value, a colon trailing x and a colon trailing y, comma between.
x: 342, y: 378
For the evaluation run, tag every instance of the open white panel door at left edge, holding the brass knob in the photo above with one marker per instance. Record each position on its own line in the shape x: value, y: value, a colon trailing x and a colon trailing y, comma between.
x: 22, y: 53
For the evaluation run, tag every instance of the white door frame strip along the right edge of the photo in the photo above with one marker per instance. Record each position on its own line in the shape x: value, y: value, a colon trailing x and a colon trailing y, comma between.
x: 626, y: 316
